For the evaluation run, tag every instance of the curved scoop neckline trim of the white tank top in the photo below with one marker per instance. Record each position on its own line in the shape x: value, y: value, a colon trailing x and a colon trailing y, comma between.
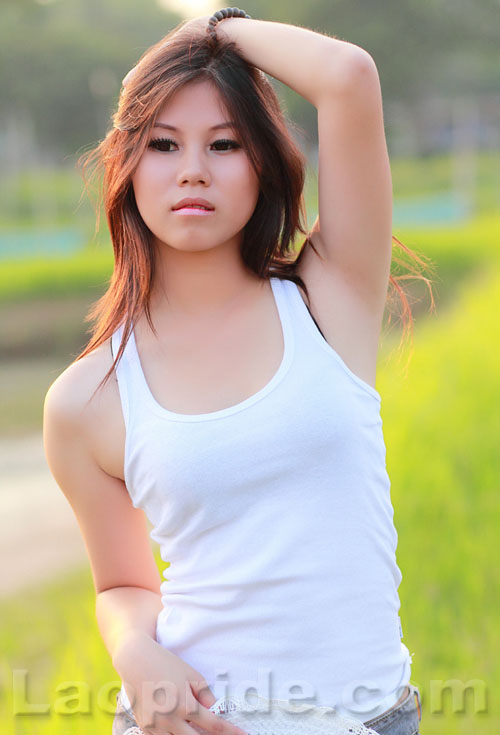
x: 277, y: 288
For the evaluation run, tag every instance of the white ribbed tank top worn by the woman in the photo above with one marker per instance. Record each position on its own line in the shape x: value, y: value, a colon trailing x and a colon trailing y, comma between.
x: 275, y: 515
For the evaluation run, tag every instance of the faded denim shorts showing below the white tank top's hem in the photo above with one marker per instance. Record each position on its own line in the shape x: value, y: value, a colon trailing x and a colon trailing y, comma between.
x: 403, y: 719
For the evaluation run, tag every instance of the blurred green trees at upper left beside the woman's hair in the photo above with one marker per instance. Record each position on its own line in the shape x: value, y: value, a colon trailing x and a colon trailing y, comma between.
x: 62, y: 63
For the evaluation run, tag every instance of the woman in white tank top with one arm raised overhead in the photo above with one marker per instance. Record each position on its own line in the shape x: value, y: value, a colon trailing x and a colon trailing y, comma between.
x: 242, y: 417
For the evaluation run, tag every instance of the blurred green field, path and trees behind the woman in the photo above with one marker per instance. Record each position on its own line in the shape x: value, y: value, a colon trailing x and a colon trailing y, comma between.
x: 61, y: 65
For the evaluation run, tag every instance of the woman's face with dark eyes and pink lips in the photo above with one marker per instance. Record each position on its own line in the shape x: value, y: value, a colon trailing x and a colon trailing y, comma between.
x: 193, y: 161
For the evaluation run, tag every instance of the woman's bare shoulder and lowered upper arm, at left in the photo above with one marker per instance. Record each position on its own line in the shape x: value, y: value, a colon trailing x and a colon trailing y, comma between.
x: 76, y: 425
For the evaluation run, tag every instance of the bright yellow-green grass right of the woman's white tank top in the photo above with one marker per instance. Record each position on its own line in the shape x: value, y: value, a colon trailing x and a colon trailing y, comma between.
x: 442, y: 429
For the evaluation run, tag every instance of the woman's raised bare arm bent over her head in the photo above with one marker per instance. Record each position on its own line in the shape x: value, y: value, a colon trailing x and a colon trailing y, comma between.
x: 353, y: 230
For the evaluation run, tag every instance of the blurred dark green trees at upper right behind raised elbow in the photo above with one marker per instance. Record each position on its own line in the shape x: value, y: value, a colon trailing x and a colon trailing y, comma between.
x: 421, y: 47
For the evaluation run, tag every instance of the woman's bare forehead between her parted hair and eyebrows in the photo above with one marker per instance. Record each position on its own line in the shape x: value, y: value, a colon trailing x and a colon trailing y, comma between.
x: 197, y: 104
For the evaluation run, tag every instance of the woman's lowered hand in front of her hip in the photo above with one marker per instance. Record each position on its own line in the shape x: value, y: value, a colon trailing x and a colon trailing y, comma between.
x: 165, y: 692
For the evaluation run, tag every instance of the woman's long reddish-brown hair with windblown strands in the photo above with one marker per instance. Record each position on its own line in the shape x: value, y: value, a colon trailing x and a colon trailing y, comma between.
x: 269, y: 235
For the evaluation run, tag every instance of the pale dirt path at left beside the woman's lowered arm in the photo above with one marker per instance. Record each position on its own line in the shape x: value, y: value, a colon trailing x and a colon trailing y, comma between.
x: 39, y: 534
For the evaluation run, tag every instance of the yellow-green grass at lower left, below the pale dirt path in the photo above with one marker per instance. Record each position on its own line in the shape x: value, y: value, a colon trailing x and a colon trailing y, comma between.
x: 56, y: 642
